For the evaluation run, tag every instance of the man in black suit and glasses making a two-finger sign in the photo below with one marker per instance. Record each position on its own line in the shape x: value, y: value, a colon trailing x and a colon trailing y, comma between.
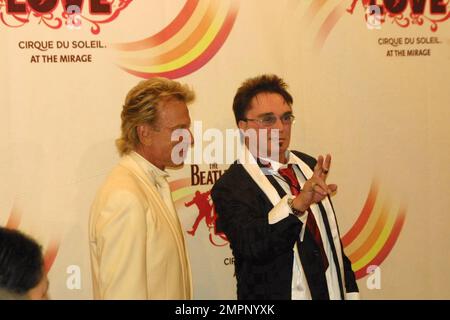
x: 274, y: 206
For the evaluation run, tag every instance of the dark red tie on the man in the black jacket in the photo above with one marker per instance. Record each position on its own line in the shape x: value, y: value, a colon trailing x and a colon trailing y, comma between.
x: 289, y: 175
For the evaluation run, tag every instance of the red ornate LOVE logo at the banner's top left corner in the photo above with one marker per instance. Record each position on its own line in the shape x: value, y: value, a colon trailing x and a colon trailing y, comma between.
x: 56, y: 14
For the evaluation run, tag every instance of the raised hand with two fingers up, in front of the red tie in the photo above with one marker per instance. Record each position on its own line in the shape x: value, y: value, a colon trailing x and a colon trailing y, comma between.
x: 315, y: 189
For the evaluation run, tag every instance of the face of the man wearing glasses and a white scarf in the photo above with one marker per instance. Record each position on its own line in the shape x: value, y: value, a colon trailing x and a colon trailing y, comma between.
x: 264, y: 106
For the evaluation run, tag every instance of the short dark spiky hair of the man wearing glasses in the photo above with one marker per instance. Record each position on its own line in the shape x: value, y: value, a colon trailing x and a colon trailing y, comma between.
x: 254, y: 86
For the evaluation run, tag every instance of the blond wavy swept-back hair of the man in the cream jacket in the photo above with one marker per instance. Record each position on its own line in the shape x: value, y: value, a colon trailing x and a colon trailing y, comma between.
x: 141, y: 107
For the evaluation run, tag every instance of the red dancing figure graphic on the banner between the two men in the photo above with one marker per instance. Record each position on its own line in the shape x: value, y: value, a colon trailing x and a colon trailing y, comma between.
x: 206, y: 211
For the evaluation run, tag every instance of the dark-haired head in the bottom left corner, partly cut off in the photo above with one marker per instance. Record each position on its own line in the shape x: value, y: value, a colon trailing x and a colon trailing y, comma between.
x: 21, y: 262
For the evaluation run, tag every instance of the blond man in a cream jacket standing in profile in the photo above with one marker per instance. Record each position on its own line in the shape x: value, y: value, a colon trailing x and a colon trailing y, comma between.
x: 137, y: 246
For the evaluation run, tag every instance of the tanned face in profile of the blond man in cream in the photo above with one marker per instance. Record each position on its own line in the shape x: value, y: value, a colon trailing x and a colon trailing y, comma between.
x: 157, y: 146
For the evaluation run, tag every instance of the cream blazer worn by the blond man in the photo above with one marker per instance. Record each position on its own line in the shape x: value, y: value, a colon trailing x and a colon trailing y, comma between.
x: 137, y: 248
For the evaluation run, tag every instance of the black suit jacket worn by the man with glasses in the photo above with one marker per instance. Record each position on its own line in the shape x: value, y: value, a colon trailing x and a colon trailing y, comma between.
x: 263, y: 252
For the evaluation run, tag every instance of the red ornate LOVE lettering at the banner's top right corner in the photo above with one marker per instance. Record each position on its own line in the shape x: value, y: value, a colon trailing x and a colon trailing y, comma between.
x: 403, y: 12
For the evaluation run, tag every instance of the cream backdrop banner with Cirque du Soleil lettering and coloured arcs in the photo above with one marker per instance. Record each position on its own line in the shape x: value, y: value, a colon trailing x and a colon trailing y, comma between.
x: 370, y: 81
